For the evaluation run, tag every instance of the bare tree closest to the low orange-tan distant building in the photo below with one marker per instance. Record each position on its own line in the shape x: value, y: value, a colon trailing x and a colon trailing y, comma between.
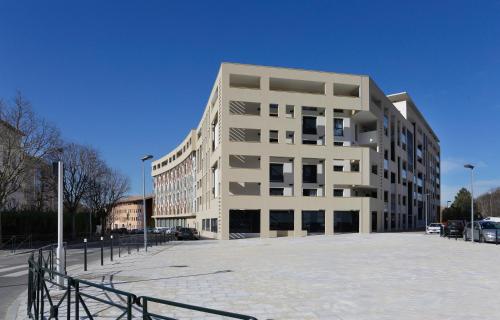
x: 105, y: 189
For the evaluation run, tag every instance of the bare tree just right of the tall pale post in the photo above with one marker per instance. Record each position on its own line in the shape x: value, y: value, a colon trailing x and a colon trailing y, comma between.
x: 81, y: 163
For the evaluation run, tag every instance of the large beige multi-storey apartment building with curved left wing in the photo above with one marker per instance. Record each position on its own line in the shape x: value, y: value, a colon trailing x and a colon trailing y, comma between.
x: 289, y: 152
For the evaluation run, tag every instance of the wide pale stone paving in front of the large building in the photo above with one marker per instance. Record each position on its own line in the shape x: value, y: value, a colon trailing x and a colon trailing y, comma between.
x: 351, y: 276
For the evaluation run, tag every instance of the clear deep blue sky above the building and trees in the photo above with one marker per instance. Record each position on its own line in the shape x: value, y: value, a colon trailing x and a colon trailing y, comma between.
x: 132, y: 77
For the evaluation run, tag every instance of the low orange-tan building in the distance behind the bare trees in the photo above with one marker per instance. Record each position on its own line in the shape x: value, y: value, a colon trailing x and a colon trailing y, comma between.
x: 128, y: 213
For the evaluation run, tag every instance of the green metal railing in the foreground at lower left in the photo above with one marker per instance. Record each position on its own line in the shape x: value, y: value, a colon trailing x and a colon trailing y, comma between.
x: 72, y: 296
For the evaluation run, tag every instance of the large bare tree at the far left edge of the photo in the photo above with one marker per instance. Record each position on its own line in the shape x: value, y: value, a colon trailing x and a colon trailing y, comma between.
x: 25, y: 139
